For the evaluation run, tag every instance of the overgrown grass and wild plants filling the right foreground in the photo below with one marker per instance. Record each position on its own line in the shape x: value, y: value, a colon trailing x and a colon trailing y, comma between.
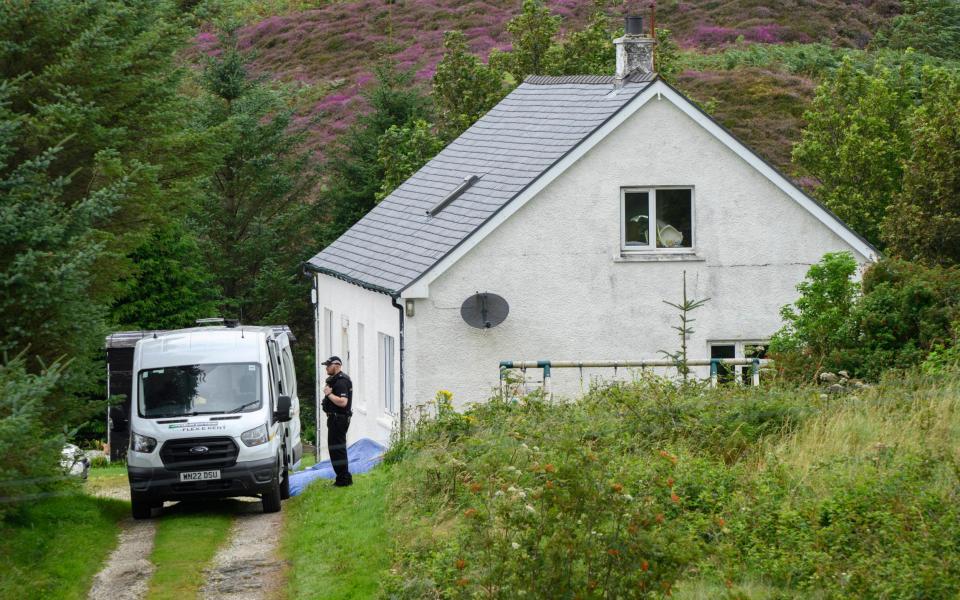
x: 640, y: 489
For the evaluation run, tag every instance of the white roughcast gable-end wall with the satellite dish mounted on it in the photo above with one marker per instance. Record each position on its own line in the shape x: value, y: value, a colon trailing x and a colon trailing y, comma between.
x: 573, y: 296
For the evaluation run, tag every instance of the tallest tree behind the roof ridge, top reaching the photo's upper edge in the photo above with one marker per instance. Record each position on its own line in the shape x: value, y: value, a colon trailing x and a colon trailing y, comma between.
x: 531, y: 33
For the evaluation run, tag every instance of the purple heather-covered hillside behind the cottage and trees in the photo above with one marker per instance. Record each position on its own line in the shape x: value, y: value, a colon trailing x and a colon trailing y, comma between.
x: 330, y: 50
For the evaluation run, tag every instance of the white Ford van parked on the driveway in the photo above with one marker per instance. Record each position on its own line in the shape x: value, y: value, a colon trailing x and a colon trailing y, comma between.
x: 213, y: 412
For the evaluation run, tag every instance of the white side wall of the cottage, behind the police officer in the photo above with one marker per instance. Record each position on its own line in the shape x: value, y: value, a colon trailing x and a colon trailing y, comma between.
x: 352, y: 306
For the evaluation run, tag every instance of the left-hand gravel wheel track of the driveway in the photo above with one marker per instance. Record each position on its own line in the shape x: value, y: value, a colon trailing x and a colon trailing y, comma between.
x: 128, y: 570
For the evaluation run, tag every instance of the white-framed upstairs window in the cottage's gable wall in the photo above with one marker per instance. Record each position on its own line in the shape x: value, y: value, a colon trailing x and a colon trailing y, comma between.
x: 657, y: 219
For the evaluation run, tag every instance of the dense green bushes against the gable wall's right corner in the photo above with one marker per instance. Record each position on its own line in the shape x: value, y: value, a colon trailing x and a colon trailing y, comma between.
x: 904, y: 312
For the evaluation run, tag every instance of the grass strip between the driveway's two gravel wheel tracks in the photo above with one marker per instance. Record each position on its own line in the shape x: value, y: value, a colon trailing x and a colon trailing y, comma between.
x: 188, y: 536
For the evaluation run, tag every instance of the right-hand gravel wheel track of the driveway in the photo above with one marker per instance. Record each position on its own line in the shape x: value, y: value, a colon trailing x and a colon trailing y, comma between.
x: 247, y: 566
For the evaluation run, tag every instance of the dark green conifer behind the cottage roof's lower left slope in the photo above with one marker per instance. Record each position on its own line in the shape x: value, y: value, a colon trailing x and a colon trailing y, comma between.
x: 353, y: 173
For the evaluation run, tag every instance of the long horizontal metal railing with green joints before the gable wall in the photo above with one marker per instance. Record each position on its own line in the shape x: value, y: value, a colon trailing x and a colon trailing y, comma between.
x: 548, y: 365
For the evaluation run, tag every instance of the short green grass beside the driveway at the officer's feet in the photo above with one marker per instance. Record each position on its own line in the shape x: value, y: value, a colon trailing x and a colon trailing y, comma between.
x: 335, y: 539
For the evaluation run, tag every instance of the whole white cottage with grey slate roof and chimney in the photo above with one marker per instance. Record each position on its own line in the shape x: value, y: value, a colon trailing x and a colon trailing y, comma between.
x: 581, y: 201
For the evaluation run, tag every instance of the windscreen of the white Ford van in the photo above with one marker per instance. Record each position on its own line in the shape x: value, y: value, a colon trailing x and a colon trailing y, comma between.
x: 199, y: 390
